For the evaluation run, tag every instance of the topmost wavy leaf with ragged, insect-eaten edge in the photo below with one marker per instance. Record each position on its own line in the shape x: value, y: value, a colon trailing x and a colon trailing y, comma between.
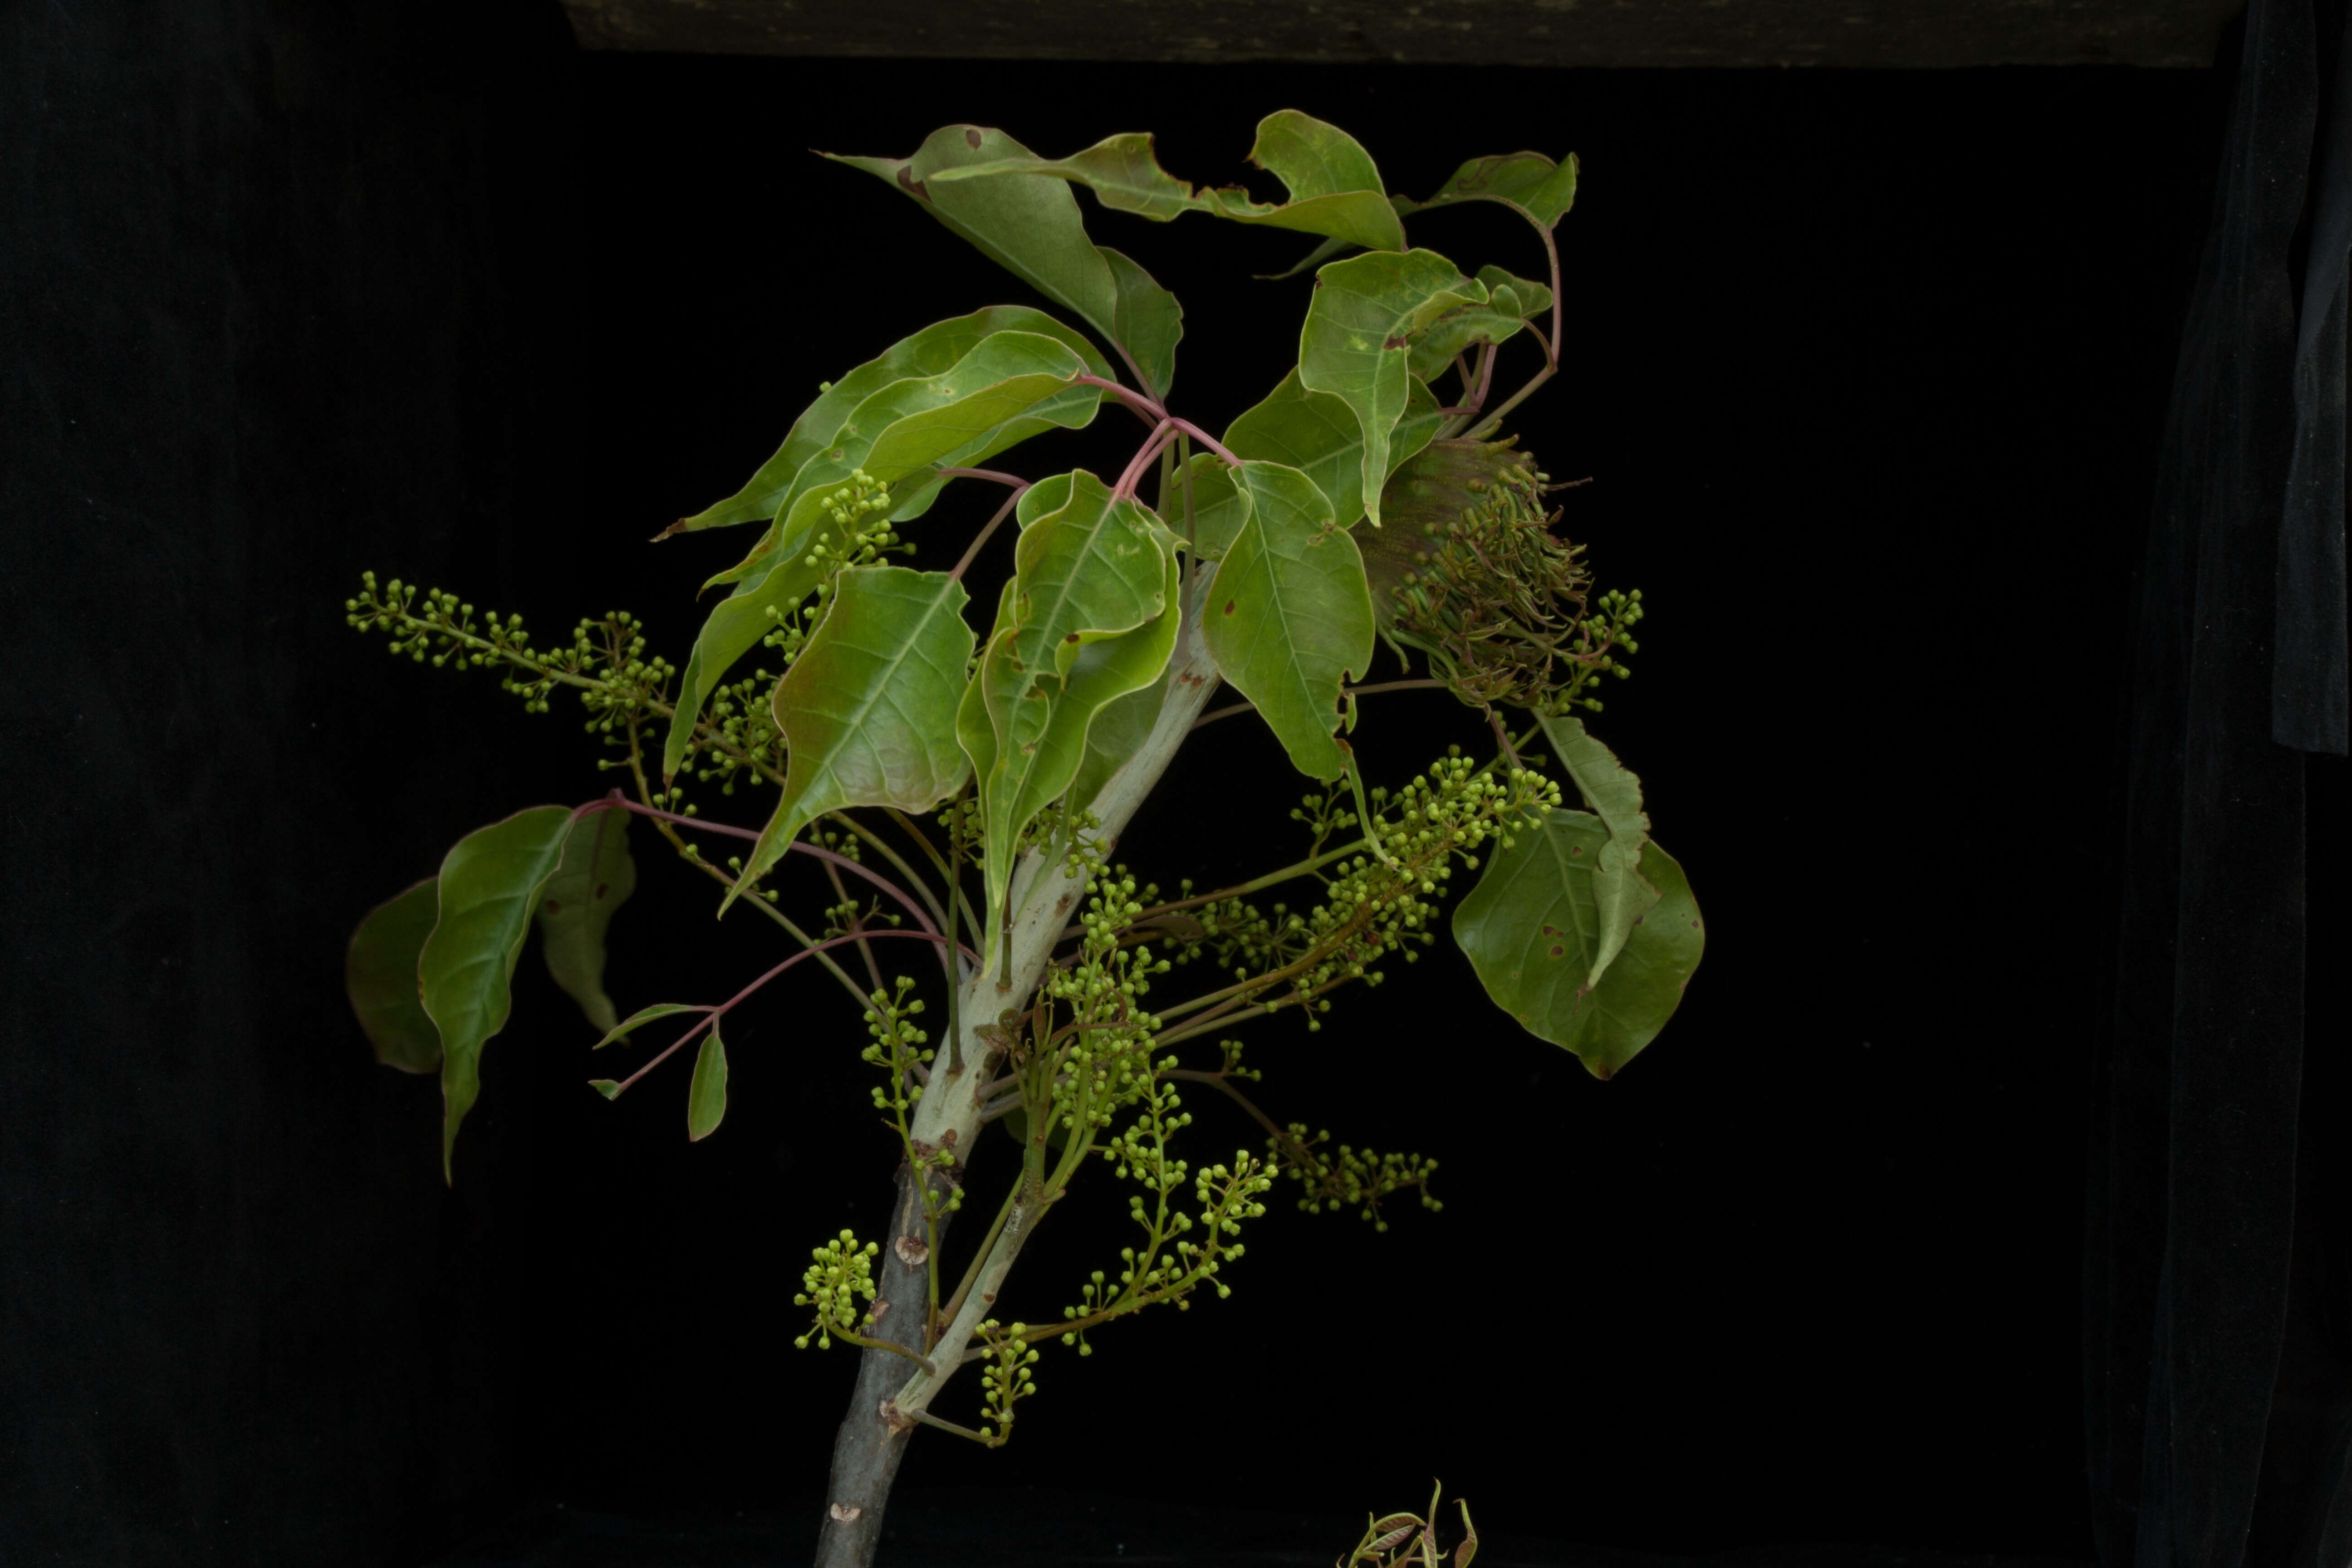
x: 1332, y: 185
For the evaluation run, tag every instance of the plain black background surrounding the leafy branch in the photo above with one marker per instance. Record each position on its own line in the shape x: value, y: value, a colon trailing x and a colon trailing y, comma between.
x: 1869, y: 375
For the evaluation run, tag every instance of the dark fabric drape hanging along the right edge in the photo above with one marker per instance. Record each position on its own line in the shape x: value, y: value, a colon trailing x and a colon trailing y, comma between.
x: 2219, y: 1320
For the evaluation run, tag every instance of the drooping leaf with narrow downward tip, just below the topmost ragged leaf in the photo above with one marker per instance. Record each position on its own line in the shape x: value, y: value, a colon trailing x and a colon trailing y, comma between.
x: 1358, y: 342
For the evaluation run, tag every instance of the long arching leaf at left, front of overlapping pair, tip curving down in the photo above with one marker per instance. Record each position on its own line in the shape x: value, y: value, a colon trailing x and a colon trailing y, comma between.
x: 1003, y: 391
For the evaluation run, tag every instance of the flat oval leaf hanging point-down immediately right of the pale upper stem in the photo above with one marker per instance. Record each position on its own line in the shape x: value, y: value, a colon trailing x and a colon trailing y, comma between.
x: 1290, y: 617
